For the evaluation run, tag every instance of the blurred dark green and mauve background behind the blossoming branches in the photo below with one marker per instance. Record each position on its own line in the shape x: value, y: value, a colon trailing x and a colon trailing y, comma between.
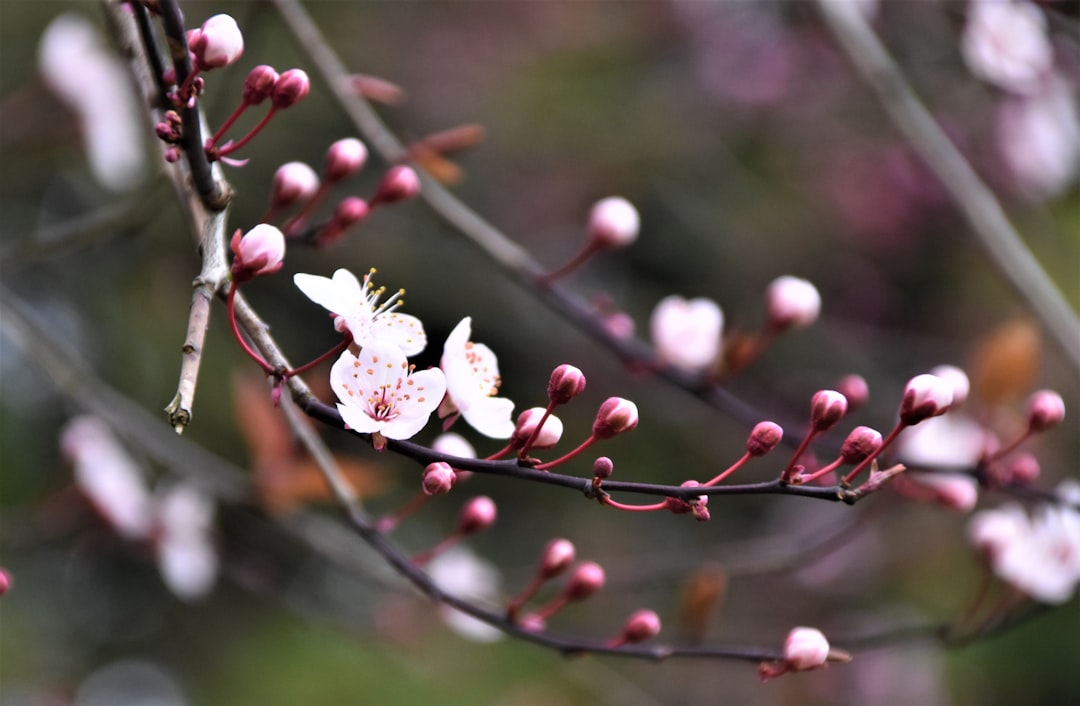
x: 751, y: 151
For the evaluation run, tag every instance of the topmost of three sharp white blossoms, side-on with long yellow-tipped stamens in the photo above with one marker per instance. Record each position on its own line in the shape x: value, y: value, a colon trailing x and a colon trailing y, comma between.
x: 358, y: 310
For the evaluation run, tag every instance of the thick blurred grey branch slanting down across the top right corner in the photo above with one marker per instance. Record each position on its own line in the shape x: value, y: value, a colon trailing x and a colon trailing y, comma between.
x: 982, y: 210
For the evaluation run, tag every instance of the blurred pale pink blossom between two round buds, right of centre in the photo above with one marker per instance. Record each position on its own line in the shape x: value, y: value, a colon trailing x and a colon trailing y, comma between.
x: 687, y: 334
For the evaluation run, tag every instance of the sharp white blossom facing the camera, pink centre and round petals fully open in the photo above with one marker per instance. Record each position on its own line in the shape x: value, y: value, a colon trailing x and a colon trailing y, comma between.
x: 381, y: 395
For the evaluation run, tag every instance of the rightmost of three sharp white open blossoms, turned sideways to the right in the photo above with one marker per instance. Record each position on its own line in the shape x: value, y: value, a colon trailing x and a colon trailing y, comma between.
x: 472, y: 382
